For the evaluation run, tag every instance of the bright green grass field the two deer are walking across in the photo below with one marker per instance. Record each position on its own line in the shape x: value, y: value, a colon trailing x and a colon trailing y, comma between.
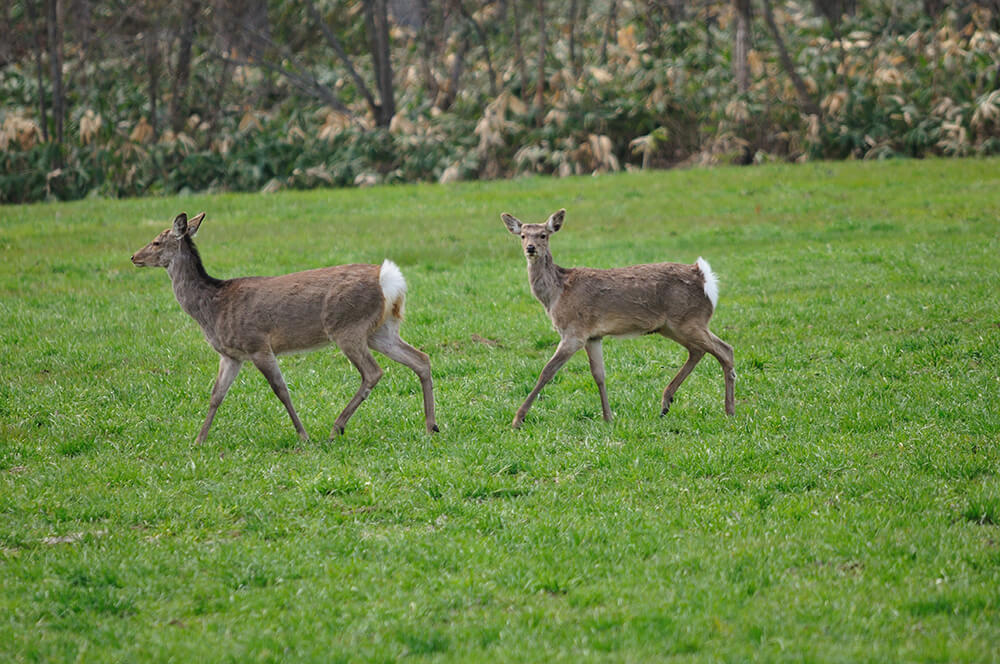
x: 850, y: 512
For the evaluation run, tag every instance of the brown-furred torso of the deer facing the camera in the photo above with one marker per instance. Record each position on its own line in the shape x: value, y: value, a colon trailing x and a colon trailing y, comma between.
x: 631, y: 300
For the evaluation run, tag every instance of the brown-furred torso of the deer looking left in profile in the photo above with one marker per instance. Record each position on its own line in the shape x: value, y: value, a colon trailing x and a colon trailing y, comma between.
x: 298, y: 311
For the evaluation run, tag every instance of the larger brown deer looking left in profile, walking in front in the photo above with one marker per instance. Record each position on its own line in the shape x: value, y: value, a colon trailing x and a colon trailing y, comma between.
x: 358, y: 307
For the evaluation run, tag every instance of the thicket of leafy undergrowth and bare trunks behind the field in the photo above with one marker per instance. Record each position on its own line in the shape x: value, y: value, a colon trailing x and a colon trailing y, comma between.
x: 124, y: 99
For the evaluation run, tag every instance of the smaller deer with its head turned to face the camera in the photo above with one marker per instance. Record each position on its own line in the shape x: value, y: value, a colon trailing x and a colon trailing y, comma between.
x: 585, y: 305
